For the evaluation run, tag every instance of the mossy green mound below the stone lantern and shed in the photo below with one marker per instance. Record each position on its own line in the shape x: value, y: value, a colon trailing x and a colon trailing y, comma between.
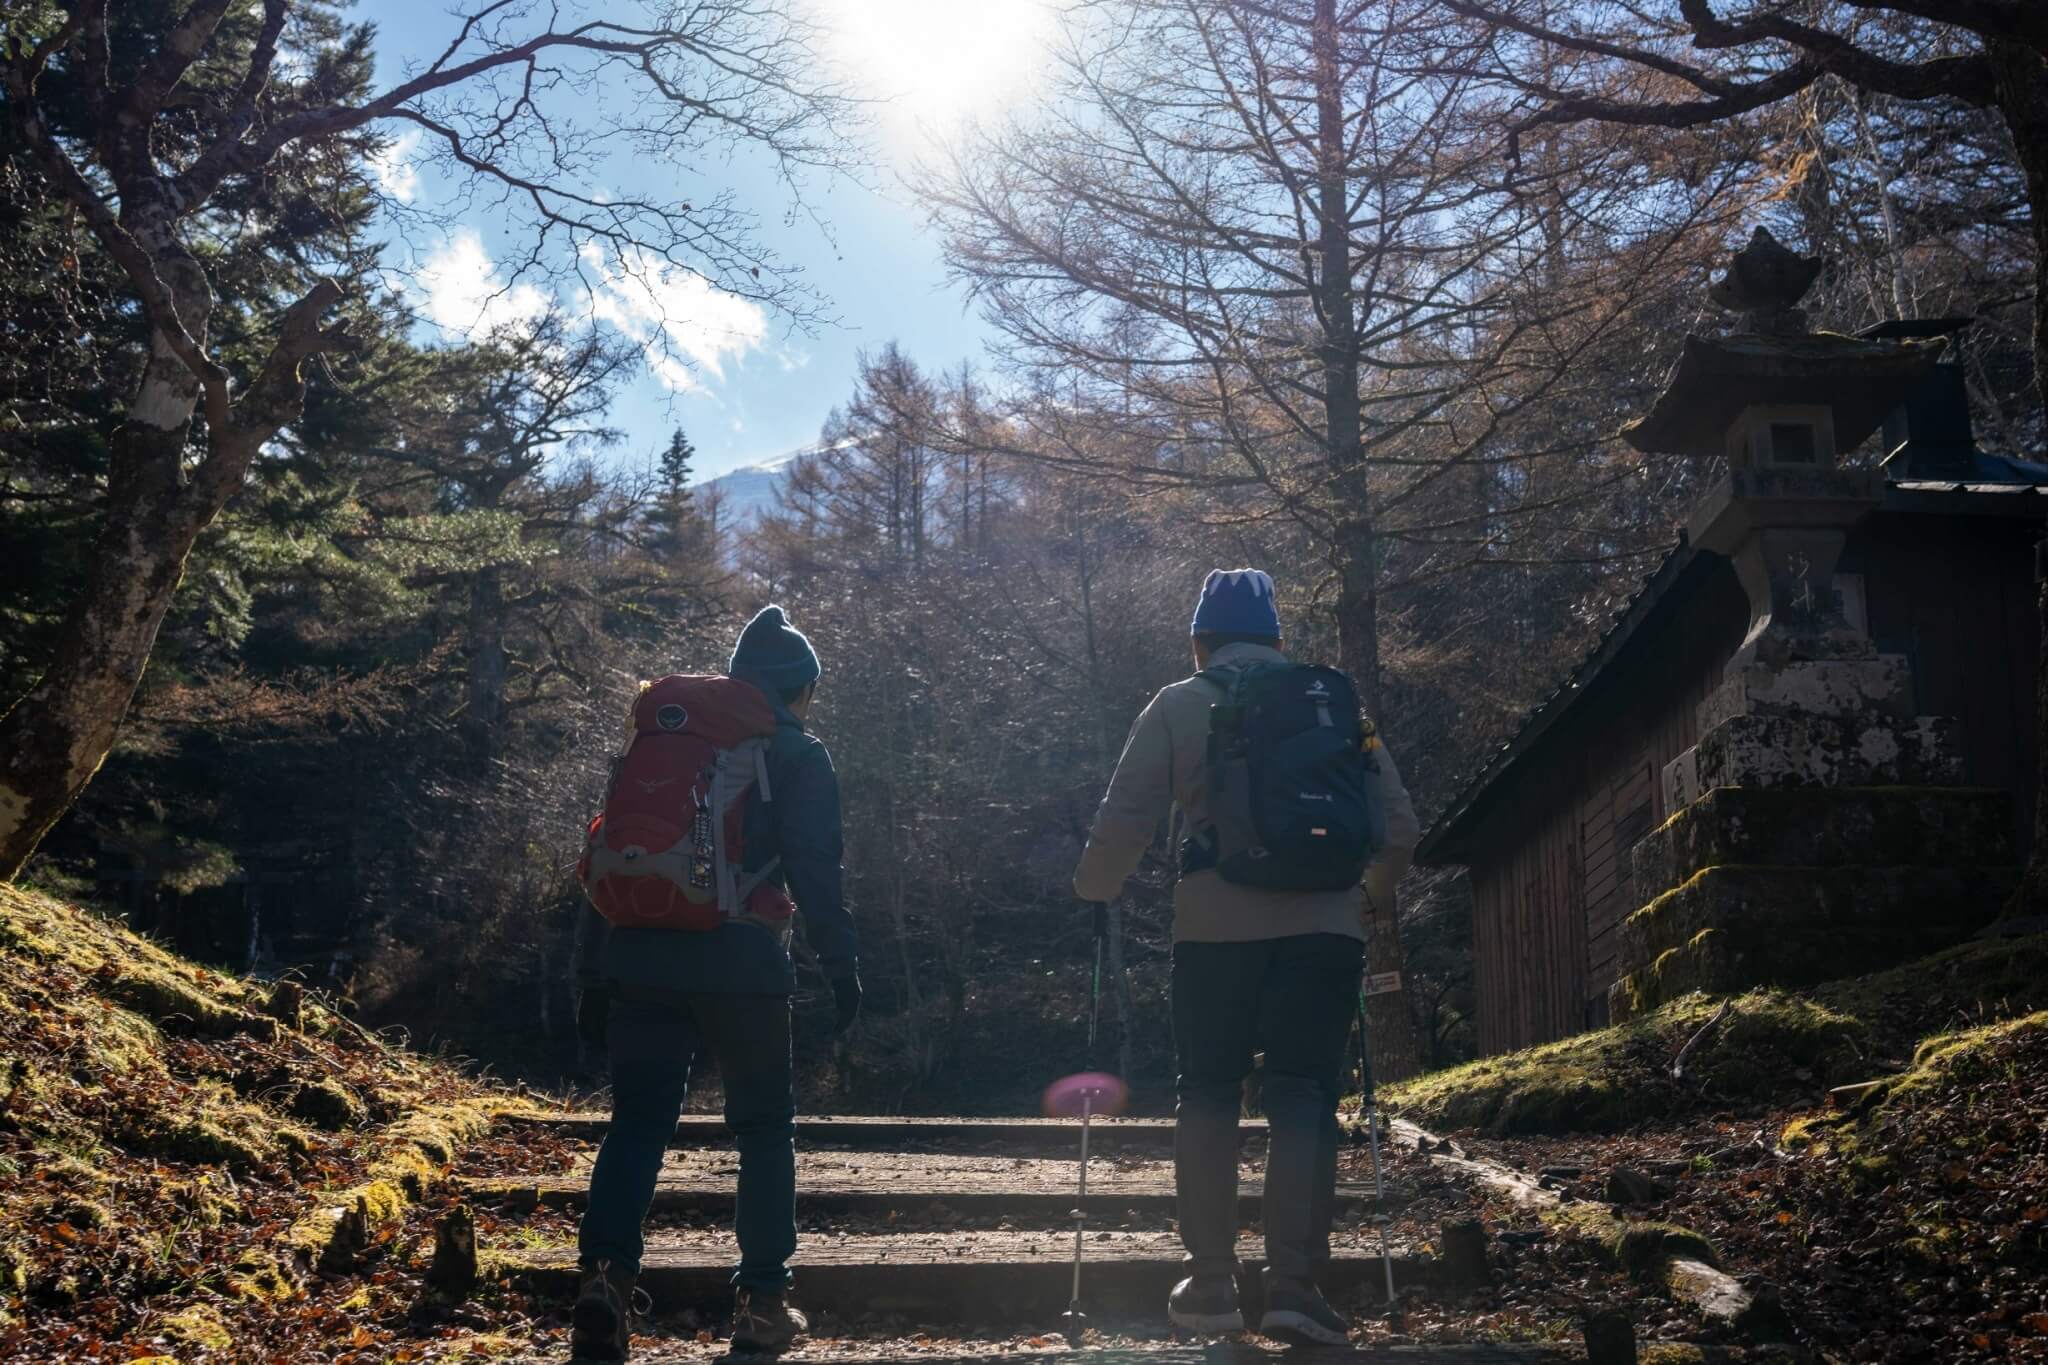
x: 1775, y: 1047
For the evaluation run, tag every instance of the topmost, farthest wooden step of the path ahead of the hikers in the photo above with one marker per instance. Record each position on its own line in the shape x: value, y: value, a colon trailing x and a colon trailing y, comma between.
x: 888, y: 1131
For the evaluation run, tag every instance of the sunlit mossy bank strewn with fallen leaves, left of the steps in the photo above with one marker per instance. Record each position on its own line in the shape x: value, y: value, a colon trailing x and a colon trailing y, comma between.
x: 173, y: 1157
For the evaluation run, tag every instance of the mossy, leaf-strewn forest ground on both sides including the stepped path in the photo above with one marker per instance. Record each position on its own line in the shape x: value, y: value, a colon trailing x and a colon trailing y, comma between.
x: 175, y: 1149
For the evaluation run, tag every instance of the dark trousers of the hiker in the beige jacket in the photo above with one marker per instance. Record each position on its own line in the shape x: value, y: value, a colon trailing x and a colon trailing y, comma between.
x: 1295, y: 1000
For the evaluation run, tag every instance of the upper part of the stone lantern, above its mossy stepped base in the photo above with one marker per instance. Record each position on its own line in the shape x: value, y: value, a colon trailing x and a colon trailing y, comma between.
x: 1807, y: 699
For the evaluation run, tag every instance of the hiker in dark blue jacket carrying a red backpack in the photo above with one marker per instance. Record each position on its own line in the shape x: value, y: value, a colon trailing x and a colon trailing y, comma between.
x: 722, y: 820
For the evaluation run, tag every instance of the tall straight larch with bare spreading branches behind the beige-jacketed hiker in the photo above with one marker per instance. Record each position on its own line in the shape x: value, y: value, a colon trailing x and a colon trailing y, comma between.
x: 1267, y: 253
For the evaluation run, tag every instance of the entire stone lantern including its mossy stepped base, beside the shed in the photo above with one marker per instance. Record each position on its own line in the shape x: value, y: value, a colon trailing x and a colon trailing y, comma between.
x: 1816, y: 807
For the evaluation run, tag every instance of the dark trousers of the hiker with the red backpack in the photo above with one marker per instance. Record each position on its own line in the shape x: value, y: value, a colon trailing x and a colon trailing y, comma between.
x: 652, y: 1049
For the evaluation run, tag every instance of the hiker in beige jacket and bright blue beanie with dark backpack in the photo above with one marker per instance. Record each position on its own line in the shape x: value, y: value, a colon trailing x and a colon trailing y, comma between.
x: 1287, y: 811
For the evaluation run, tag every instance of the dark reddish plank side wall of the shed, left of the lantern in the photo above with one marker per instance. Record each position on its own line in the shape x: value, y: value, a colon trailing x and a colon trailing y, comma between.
x: 1549, y: 887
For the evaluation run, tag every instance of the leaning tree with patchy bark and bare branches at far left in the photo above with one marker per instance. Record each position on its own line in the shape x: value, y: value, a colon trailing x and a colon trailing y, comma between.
x: 157, y: 126
